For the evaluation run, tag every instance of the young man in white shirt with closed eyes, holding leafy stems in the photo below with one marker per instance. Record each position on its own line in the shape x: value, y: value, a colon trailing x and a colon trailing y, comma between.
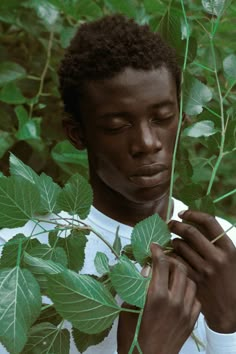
x: 120, y: 84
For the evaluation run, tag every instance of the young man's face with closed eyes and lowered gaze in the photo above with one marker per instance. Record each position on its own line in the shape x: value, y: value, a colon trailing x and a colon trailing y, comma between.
x: 130, y: 124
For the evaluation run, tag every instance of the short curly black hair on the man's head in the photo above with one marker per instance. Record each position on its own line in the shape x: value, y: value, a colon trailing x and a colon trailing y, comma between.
x: 103, y: 48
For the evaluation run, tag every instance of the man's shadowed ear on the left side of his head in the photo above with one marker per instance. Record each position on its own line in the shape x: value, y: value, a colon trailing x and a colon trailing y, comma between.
x: 74, y: 133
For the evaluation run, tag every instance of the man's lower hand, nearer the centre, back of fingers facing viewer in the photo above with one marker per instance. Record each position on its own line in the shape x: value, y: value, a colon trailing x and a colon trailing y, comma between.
x: 170, y: 312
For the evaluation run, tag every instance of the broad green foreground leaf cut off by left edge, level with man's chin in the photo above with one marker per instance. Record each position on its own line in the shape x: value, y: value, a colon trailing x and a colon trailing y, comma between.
x: 19, y: 200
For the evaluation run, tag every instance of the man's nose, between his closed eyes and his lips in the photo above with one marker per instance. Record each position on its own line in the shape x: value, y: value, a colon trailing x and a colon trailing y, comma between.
x: 145, y: 140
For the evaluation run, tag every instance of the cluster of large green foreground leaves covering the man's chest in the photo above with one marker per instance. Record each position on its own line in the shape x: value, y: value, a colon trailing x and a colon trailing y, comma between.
x: 32, y: 266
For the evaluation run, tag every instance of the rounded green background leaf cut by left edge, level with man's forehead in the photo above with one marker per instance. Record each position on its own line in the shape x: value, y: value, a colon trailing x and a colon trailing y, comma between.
x: 10, y: 71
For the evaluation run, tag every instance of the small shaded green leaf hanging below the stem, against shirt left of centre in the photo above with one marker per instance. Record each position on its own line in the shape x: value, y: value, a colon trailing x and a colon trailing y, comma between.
x: 74, y: 247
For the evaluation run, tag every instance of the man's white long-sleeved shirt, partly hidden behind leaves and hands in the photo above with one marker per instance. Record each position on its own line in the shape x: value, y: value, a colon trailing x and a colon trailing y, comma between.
x: 215, y: 343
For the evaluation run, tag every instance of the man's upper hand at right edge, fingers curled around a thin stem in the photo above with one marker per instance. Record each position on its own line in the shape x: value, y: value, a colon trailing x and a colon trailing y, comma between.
x: 212, y: 266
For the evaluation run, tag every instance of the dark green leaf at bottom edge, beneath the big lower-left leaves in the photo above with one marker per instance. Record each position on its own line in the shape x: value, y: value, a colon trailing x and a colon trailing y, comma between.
x: 45, y: 338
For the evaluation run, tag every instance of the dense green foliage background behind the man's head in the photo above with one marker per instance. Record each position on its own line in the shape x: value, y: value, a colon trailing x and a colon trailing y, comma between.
x: 33, y: 37
